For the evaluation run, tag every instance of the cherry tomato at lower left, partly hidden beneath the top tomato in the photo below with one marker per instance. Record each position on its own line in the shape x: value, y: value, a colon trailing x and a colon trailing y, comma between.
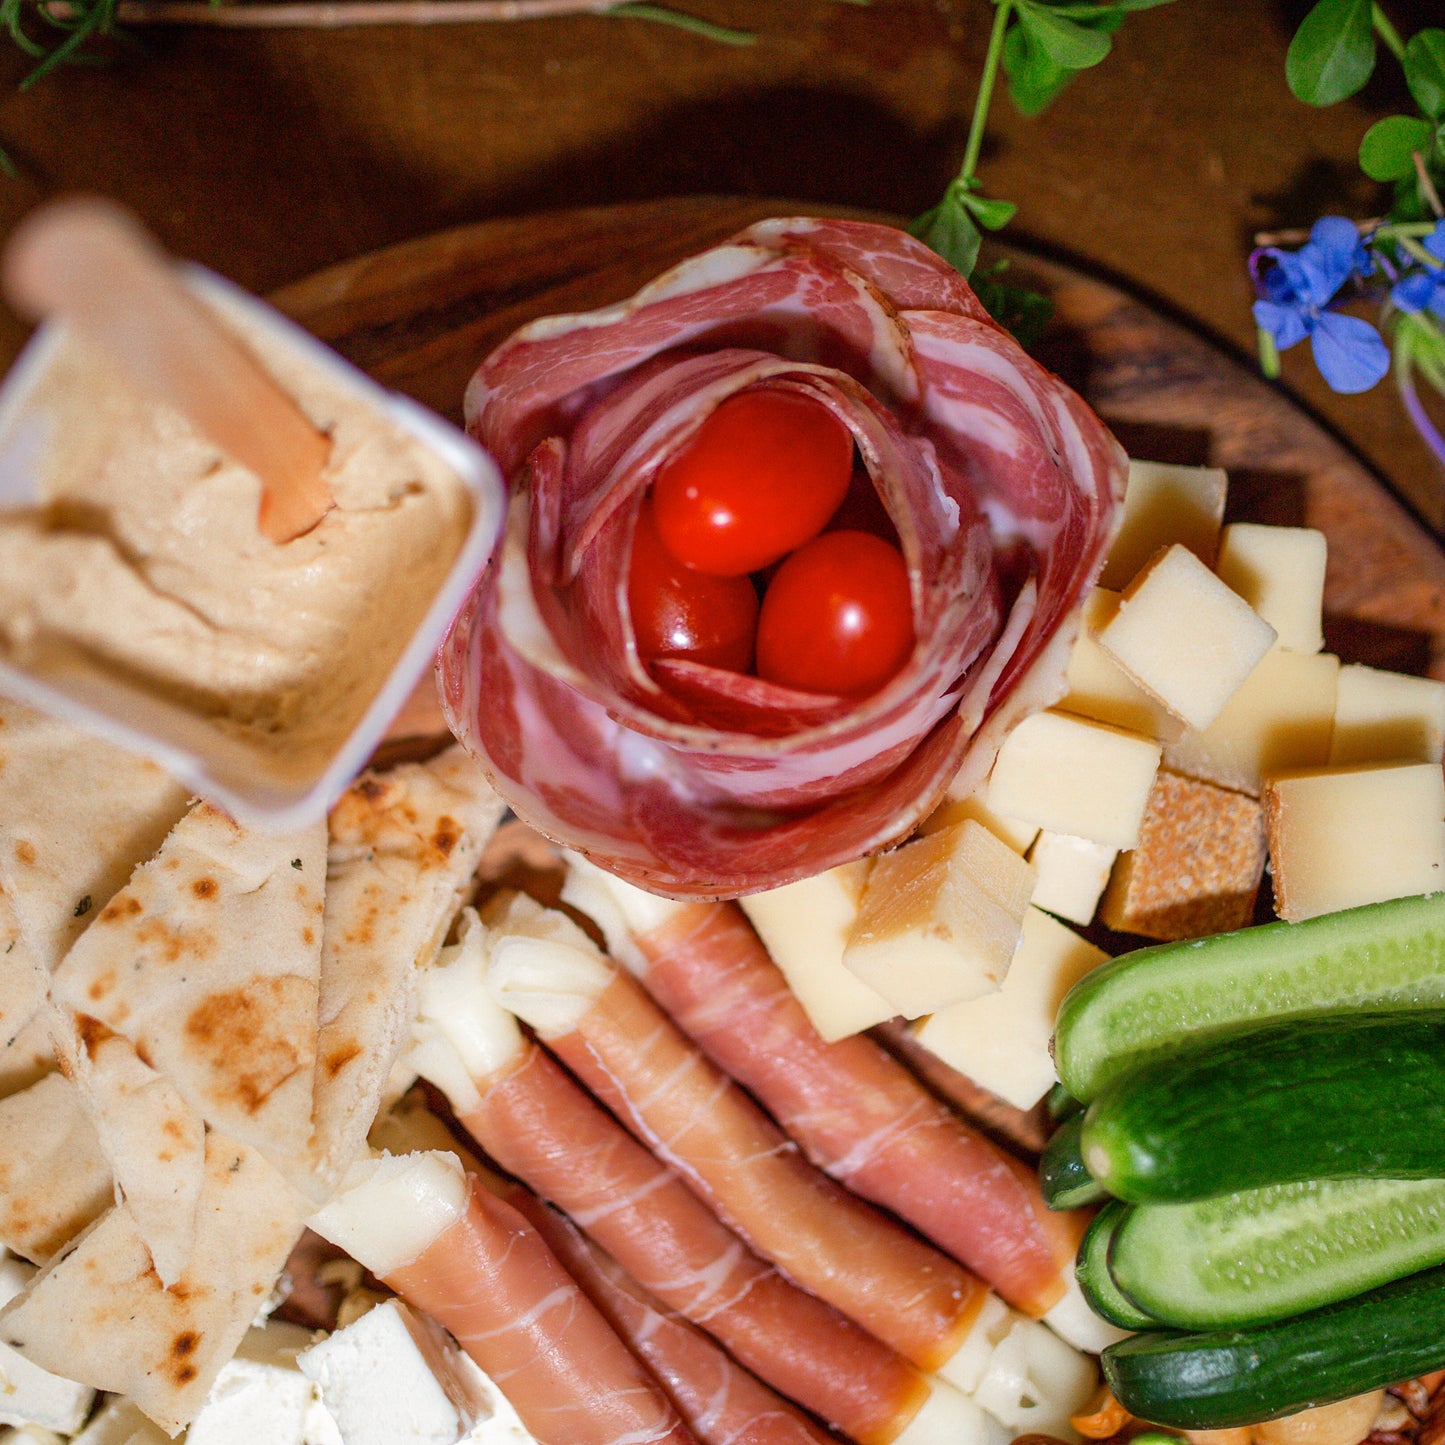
x: 680, y: 613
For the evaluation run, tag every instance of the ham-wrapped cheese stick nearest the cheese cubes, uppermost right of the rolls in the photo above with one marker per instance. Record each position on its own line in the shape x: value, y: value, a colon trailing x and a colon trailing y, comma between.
x: 856, y: 1112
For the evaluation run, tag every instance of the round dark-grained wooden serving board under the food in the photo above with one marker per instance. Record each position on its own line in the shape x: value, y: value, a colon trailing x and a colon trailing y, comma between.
x: 421, y: 316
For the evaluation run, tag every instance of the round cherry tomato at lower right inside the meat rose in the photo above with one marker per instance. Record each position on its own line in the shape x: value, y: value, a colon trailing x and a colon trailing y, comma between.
x: 837, y: 616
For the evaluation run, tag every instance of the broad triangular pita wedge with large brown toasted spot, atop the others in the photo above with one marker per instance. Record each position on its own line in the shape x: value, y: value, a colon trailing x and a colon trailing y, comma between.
x: 210, y: 963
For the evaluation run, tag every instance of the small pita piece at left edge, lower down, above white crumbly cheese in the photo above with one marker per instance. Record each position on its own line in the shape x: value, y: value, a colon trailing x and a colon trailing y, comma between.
x: 54, y: 1177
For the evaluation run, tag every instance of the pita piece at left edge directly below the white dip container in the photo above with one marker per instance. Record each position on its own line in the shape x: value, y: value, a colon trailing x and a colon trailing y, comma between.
x: 76, y: 817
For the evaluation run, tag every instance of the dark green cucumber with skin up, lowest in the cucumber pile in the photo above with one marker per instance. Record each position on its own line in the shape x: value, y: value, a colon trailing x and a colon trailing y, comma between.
x: 1226, y: 1379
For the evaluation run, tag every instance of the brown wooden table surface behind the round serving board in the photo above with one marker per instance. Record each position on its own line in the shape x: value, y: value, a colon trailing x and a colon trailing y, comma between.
x: 269, y: 155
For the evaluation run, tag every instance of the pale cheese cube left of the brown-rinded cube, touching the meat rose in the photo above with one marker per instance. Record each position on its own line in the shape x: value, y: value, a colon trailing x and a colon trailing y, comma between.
x: 1074, y: 777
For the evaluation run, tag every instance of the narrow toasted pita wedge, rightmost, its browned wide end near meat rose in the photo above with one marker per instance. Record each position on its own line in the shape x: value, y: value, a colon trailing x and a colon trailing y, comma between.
x: 404, y: 849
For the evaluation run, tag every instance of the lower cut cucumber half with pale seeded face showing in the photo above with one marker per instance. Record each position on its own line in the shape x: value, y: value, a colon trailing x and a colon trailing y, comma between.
x: 1261, y: 1255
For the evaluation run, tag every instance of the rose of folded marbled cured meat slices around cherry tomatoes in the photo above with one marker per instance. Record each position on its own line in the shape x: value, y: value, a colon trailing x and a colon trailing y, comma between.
x: 1001, y: 485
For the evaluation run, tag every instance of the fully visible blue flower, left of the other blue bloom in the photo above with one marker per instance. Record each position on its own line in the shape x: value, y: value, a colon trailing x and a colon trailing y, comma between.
x: 1295, y: 296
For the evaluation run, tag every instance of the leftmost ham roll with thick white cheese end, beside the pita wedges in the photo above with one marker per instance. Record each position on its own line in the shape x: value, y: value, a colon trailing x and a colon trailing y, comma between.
x: 450, y: 1248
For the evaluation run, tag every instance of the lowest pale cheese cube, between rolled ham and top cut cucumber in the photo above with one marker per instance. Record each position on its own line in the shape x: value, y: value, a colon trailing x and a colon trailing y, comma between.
x: 1002, y: 1040
